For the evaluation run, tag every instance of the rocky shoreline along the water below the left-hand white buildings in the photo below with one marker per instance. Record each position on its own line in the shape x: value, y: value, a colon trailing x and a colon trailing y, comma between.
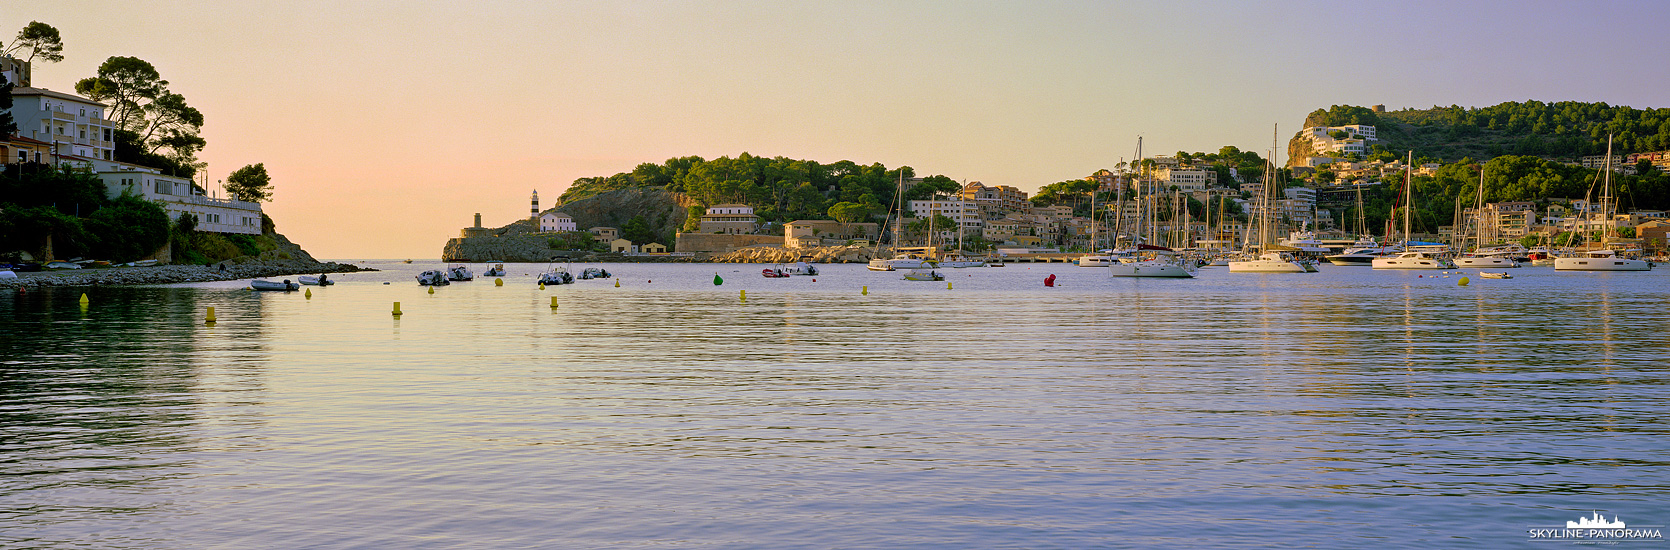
x: 168, y: 275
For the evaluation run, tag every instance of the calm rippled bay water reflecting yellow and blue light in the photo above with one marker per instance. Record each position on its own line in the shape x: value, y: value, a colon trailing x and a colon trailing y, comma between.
x: 1344, y: 409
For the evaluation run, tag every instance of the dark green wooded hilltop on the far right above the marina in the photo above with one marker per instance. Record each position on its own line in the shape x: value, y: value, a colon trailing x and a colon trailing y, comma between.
x: 1561, y: 131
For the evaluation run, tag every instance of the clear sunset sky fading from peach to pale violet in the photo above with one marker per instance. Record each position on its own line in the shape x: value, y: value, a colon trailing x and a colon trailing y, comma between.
x: 387, y: 126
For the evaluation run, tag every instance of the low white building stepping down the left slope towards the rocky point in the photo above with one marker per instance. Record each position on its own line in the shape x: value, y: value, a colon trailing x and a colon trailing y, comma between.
x: 180, y: 196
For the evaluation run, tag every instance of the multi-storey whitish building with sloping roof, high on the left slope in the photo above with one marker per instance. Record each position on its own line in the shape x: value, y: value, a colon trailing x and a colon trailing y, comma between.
x: 73, y: 125
